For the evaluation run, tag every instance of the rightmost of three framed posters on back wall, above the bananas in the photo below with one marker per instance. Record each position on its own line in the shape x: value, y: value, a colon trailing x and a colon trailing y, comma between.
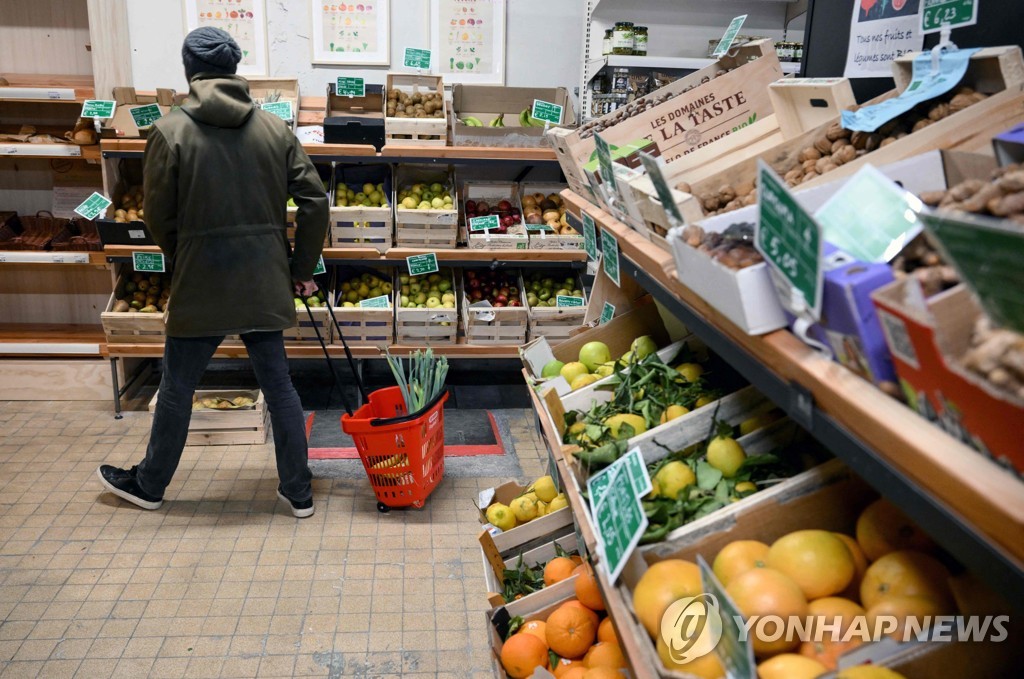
x: 468, y: 40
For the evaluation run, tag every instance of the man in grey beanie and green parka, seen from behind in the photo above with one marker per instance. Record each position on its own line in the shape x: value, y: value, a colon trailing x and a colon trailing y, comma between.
x: 218, y: 177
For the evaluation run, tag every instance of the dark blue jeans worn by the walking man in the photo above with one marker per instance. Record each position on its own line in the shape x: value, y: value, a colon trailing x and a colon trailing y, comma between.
x: 186, y: 360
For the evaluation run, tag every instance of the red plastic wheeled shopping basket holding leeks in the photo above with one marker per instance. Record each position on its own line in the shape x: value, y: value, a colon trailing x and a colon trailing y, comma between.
x: 404, y: 455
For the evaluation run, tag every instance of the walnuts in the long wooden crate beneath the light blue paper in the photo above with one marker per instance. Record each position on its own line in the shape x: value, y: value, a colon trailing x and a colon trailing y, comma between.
x: 838, y: 147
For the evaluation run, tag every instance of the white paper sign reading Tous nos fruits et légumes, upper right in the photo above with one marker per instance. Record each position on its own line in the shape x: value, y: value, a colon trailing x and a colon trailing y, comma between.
x: 880, y: 32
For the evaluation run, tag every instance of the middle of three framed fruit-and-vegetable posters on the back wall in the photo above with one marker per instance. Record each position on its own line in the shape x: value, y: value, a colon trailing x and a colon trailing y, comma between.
x: 351, y: 33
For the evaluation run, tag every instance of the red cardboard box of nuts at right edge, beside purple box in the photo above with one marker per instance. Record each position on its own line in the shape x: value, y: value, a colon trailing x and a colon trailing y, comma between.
x: 927, y: 339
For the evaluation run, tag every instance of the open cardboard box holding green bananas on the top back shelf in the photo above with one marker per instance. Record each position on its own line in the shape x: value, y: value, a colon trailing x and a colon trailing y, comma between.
x: 488, y: 102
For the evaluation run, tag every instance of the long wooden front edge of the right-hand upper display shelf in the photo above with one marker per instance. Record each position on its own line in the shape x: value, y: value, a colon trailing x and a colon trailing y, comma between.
x: 984, y: 494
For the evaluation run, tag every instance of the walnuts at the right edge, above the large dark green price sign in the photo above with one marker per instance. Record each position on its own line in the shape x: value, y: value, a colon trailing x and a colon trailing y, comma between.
x: 1002, y: 196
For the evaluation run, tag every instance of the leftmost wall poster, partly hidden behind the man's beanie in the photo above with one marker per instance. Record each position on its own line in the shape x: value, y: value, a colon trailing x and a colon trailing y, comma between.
x: 245, y: 20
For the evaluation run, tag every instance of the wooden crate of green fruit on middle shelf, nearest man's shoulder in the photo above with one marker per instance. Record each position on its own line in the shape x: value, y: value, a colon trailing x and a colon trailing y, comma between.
x: 360, y: 226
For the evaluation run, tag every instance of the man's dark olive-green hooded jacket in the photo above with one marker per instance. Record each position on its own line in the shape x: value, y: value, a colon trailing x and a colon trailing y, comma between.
x: 218, y: 177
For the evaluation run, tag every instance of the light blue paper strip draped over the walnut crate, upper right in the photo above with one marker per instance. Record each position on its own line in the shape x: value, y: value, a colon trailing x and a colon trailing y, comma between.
x: 925, y: 84
